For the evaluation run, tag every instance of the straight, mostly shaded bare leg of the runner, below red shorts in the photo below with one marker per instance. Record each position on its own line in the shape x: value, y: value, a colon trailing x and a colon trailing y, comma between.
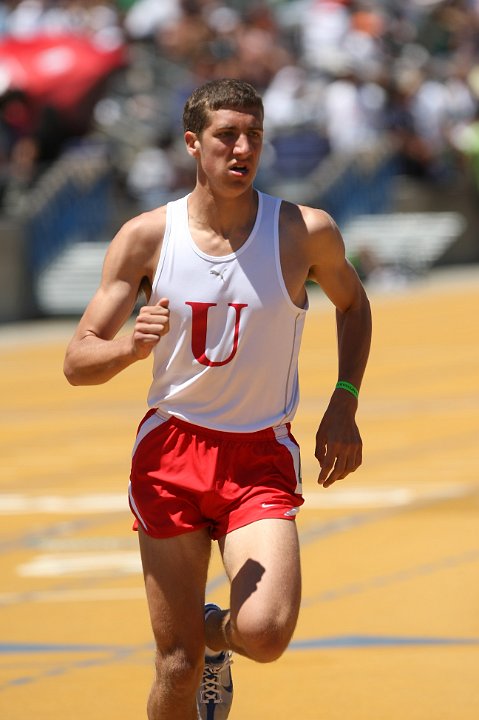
x: 175, y: 571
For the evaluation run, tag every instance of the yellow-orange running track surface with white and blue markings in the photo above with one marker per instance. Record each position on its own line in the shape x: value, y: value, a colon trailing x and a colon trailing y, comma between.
x: 389, y: 627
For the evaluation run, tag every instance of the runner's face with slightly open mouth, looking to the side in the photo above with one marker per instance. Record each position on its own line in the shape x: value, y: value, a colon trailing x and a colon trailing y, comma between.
x: 228, y: 150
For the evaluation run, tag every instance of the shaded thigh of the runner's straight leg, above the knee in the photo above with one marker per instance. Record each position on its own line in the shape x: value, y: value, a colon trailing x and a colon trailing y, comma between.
x: 175, y: 572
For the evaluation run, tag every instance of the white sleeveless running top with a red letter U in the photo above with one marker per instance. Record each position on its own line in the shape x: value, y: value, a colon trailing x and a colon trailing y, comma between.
x: 230, y: 359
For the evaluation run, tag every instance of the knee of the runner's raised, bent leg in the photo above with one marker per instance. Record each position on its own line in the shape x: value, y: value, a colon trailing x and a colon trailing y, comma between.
x: 264, y: 639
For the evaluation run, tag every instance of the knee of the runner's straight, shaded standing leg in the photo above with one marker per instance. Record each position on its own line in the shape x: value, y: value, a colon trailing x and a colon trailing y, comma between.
x: 178, y: 670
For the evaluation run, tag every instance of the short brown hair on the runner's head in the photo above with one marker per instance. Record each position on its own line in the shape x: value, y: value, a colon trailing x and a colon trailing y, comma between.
x: 216, y: 95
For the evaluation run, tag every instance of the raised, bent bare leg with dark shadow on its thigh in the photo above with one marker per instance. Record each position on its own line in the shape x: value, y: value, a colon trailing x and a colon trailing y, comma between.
x: 263, y: 564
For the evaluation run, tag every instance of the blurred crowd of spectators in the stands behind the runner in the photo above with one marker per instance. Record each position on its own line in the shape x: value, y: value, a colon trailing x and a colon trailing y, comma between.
x: 337, y: 76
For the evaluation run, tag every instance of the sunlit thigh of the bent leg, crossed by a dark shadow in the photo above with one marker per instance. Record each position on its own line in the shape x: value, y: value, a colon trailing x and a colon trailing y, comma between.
x: 263, y: 564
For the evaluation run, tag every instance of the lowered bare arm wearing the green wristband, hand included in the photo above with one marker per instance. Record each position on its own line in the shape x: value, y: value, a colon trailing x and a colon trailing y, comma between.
x: 338, y: 442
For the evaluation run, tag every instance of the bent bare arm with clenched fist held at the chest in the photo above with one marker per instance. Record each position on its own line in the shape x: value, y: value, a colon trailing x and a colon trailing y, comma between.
x: 95, y: 353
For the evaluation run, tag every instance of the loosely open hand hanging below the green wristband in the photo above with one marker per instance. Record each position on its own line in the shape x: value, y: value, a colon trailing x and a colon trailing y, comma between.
x: 338, y: 442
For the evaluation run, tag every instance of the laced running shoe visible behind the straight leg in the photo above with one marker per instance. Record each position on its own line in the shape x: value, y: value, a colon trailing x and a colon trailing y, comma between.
x: 215, y: 693
